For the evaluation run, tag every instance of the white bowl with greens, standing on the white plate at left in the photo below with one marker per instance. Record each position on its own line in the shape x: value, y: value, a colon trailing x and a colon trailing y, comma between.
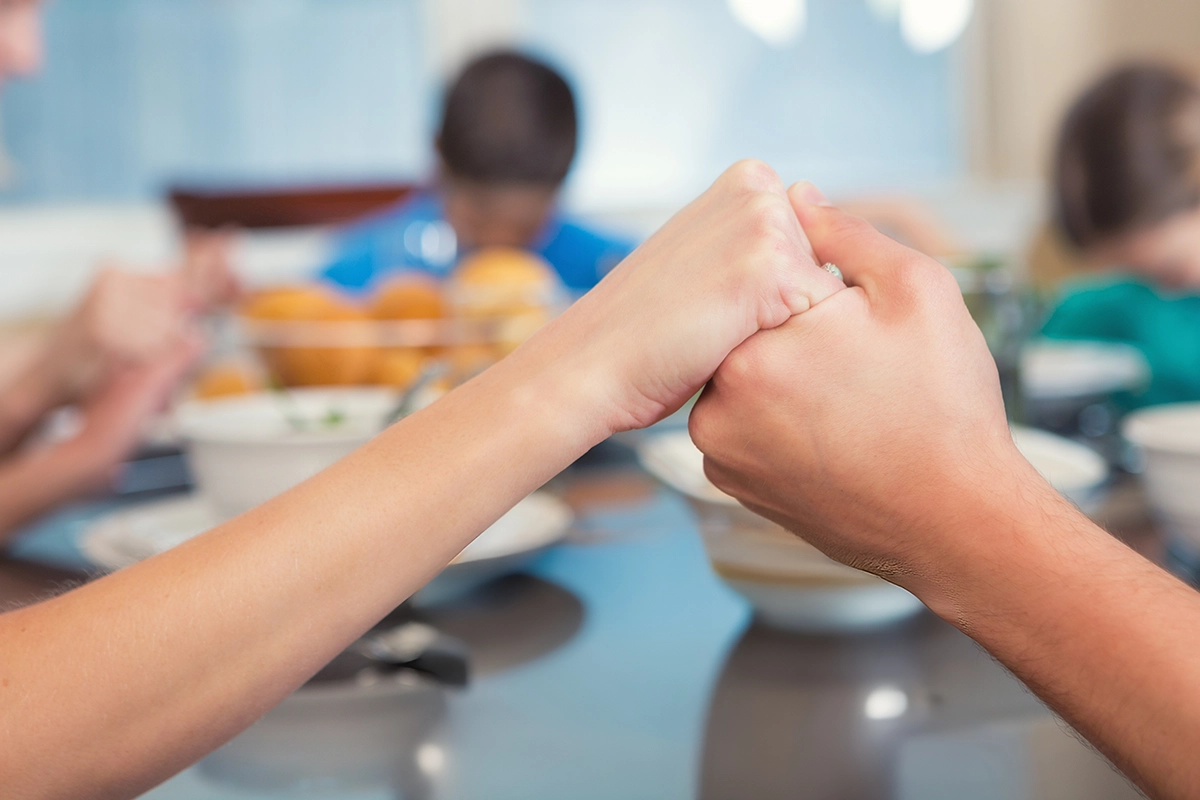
x: 248, y: 449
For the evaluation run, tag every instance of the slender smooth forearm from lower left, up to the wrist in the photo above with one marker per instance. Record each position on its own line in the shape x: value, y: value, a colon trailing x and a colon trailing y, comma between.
x: 269, y: 597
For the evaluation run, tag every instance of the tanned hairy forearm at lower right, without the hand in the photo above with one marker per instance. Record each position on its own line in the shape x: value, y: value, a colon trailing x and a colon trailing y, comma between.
x: 1101, y: 635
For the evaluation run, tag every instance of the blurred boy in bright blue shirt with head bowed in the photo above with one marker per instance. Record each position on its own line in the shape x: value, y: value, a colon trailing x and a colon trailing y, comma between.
x: 506, y: 145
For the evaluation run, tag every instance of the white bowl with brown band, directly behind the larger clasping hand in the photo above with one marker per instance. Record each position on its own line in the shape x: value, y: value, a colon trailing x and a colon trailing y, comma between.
x: 794, y: 586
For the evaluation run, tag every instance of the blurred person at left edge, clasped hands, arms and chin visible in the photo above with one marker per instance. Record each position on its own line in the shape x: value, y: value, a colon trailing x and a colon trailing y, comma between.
x: 117, y: 356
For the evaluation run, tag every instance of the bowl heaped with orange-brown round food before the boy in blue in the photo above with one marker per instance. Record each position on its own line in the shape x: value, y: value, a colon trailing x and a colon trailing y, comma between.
x: 314, y: 336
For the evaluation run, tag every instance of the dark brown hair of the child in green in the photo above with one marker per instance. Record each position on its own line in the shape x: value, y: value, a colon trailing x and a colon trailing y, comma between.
x: 1129, y: 154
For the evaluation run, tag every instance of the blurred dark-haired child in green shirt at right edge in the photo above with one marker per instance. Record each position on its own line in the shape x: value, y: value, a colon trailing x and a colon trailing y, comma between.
x: 1127, y: 194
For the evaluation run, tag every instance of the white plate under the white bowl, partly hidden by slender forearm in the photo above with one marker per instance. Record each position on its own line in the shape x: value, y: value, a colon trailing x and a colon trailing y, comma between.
x: 129, y: 536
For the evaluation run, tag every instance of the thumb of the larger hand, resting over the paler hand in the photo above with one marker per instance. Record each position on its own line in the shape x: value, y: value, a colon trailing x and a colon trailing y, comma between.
x: 866, y: 257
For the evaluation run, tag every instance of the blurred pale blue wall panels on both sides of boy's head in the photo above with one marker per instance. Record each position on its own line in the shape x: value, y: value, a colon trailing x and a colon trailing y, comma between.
x: 140, y: 93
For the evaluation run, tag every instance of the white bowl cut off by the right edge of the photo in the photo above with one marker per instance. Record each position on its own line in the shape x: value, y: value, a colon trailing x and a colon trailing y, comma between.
x: 1169, y: 440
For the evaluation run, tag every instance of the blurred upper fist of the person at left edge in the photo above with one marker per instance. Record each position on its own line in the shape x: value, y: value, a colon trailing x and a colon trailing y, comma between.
x: 124, y: 320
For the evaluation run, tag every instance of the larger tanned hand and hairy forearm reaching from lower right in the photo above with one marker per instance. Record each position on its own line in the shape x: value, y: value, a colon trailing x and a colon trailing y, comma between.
x: 873, y: 428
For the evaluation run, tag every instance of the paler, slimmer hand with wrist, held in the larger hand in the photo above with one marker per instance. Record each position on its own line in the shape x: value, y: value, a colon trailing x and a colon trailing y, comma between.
x: 653, y: 332
